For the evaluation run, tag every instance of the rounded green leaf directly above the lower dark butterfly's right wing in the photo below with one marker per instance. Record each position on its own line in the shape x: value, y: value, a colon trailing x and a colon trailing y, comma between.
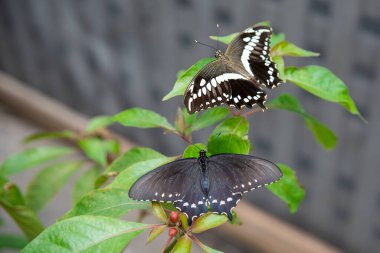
x: 230, y: 136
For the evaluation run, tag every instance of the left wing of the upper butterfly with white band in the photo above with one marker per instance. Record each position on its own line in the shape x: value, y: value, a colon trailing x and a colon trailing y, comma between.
x: 218, y: 83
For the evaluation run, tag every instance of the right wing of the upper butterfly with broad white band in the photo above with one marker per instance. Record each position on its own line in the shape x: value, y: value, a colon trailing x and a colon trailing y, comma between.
x: 251, y: 50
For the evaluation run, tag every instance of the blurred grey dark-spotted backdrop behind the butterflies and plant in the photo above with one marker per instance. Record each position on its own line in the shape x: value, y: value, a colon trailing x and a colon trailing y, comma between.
x: 100, y: 57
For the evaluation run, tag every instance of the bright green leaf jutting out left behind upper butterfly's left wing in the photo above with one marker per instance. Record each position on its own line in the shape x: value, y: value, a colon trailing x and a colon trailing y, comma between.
x: 184, y: 80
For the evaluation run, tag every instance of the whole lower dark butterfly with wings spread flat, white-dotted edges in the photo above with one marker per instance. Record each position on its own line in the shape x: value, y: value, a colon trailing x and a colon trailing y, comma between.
x: 199, y: 185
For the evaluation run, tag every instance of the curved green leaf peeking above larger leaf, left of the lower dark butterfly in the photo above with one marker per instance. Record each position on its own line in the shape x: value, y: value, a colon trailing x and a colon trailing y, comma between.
x: 132, y: 156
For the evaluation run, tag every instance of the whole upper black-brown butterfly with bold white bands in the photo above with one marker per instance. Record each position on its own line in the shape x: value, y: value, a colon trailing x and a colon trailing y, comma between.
x: 235, y: 77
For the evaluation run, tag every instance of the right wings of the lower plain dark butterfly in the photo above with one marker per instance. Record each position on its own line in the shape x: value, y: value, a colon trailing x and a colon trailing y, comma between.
x: 231, y: 175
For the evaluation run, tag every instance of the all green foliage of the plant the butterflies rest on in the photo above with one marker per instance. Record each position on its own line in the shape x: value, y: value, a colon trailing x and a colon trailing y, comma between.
x: 100, y: 193
